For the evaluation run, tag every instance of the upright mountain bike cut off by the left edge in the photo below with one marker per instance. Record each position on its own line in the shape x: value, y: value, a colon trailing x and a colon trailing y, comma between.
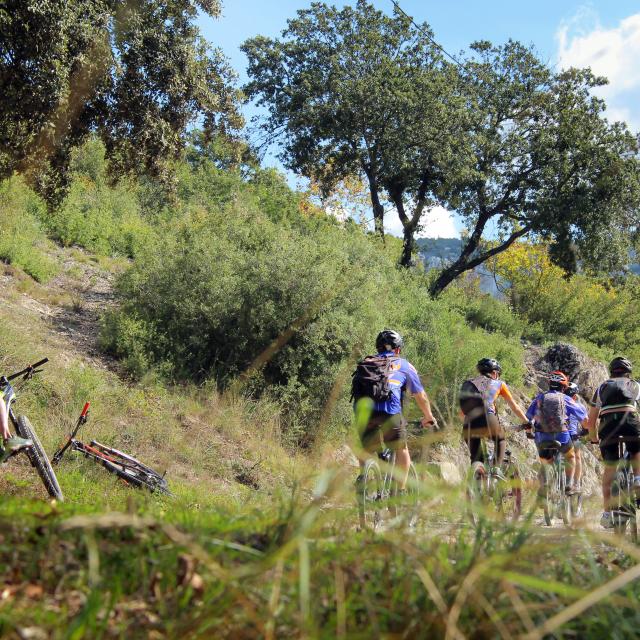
x: 36, y: 453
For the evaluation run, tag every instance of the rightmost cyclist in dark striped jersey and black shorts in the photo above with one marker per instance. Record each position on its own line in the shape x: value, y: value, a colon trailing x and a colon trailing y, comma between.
x: 615, y: 405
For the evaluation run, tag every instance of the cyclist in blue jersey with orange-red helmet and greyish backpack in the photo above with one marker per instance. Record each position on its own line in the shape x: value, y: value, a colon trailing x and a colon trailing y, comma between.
x: 551, y: 412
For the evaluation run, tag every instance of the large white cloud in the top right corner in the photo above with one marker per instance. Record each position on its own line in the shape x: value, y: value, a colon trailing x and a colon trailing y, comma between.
x: 610, y: 52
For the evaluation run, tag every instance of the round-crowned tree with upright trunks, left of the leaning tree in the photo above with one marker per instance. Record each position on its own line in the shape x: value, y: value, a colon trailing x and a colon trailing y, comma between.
x: 354, y: 92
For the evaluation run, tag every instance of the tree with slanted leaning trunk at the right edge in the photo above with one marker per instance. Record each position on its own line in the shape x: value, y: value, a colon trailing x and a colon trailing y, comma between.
x: 541, y: 160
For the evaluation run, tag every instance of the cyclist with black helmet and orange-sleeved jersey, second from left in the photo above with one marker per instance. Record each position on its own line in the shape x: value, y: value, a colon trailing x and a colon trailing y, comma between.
x: 478, y: 403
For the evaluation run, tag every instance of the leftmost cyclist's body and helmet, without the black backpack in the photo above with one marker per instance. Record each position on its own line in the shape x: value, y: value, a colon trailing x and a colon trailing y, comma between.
x: 385, y: 417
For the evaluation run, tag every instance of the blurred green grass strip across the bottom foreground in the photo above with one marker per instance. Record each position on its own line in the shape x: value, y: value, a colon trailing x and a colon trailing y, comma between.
x: 296, y: 566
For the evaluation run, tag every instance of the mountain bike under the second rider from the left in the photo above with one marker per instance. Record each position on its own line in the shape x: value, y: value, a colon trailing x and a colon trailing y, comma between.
x: 486, y: 487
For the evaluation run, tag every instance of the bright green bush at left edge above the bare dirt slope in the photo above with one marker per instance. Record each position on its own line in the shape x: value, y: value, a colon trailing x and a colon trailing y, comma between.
x: 22, y: 240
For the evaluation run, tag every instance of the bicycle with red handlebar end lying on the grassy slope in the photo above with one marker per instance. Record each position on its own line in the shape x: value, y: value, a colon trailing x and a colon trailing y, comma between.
x: 131, y: 470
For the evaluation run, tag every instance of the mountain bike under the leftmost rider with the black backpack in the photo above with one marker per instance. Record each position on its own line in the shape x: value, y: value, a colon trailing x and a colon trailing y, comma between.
x: 378, y: 494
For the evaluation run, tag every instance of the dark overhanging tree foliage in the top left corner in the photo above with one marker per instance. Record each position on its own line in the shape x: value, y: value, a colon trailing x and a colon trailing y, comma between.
x: 138, y: 73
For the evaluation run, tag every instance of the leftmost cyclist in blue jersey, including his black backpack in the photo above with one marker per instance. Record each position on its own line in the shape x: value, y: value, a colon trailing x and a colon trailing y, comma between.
x: 381, y: 412
